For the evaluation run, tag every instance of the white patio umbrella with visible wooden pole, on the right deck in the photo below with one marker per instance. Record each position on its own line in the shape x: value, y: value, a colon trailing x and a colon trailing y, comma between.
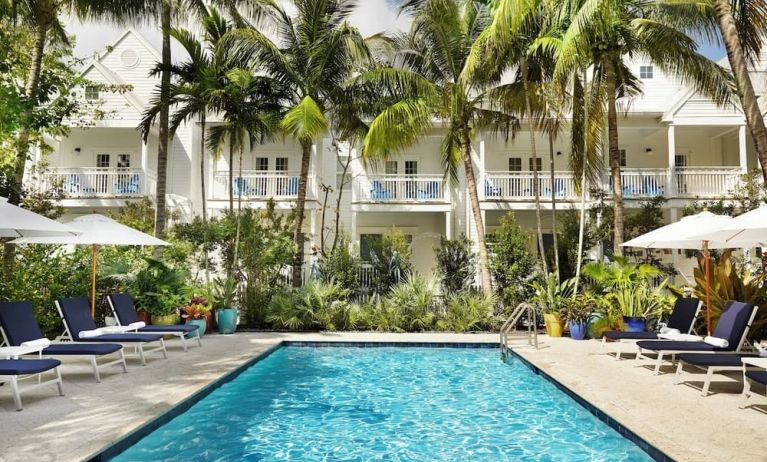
x: 685, y: 234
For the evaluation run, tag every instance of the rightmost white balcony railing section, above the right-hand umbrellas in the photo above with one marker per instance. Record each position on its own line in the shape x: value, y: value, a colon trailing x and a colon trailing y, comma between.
x: 706, y: 181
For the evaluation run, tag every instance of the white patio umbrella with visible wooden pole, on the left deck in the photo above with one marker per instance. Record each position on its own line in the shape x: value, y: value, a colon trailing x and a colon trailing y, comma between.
x: 96, y: 230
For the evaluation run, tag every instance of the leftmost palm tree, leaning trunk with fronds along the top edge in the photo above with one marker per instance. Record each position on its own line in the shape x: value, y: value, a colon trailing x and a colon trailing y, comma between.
x: 43, y: 18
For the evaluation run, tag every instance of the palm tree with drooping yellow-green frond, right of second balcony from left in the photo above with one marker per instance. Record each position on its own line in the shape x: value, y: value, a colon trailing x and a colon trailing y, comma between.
x: 311, y: 55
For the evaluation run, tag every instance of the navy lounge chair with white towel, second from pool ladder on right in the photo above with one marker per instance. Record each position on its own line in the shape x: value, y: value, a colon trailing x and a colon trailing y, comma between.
x: 733, y: 327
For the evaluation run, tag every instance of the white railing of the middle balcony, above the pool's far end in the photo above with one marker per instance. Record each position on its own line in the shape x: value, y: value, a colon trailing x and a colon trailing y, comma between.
x: 400, y: 188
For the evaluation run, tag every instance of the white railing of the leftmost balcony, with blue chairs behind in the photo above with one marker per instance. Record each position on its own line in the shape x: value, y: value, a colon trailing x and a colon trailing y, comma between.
x: 96, y: 182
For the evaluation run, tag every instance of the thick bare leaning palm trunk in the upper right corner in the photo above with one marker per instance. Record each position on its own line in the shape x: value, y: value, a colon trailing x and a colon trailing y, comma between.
x: 739, y: 65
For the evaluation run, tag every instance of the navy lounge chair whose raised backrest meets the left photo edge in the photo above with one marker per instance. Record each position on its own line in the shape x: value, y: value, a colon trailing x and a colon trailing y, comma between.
x: 19, y: 326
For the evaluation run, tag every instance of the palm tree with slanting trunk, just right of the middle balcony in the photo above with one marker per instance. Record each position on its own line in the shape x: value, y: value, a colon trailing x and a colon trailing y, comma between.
x: 429, y: 80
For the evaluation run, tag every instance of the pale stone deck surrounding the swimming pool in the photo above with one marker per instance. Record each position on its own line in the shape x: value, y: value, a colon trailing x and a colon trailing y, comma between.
x: 673, y: 417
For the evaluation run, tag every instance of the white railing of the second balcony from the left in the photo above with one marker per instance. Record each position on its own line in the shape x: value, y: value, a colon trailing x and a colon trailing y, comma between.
x: 258, y: 185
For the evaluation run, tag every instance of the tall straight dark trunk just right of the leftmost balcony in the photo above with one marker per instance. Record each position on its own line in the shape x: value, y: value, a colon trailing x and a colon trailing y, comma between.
x: 162, y: 150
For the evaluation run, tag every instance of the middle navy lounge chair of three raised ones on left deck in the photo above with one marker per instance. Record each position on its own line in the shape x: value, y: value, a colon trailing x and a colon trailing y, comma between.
x: 80, y: 327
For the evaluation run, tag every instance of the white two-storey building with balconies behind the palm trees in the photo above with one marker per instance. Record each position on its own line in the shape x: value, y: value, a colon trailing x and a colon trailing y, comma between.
x: 677, y: 144
